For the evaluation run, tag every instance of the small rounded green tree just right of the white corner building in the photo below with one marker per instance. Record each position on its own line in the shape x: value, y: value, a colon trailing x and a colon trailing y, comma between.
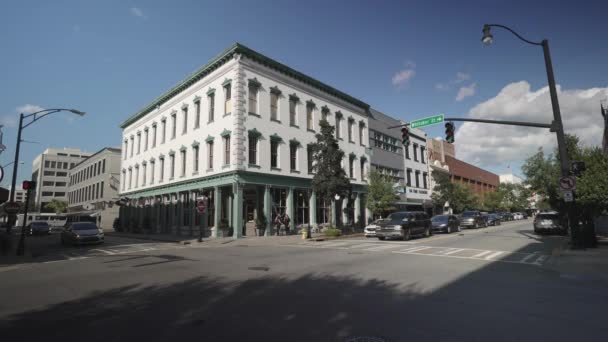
x: 380, y: 195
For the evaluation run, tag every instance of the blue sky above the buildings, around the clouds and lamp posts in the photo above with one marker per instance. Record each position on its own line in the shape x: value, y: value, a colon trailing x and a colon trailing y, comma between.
x: 408, y: 59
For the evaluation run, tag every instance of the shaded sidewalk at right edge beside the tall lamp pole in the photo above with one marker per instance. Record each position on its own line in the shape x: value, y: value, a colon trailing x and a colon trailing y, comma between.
x: 589, y: 264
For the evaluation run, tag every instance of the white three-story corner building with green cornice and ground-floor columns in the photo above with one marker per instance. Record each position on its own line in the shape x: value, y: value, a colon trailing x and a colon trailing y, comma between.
x: 238, y: 131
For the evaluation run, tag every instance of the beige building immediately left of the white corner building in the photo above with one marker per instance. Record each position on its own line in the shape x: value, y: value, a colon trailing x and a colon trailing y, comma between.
x: 93, y: 187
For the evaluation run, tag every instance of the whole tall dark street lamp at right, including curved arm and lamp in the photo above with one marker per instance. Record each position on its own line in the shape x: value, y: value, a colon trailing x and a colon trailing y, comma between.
x: 557, y: 125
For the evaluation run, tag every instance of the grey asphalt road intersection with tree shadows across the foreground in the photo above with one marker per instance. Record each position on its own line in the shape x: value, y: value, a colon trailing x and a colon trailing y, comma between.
x: 491, y: 284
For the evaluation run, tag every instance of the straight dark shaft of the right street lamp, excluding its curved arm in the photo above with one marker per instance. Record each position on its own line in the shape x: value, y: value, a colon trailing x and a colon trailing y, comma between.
x: 561, y: 142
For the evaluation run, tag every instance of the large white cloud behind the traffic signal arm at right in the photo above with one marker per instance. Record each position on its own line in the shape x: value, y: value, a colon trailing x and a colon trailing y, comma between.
x: 489, y: 145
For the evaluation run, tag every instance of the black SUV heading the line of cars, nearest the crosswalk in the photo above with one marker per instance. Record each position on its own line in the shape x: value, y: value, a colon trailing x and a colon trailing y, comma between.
x: 404, y: 224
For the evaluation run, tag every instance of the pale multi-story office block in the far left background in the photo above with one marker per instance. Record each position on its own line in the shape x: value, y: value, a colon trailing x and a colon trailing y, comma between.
x: 50, y: 171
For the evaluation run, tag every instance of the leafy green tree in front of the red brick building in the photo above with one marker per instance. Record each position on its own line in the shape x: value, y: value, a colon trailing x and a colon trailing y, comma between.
x: 458, y: 195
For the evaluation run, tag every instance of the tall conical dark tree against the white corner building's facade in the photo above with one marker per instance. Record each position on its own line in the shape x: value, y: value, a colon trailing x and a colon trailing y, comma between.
x: 330, y: 178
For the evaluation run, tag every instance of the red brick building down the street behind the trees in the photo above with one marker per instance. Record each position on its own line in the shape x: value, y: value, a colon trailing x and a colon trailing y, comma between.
x: 480, y: 180
